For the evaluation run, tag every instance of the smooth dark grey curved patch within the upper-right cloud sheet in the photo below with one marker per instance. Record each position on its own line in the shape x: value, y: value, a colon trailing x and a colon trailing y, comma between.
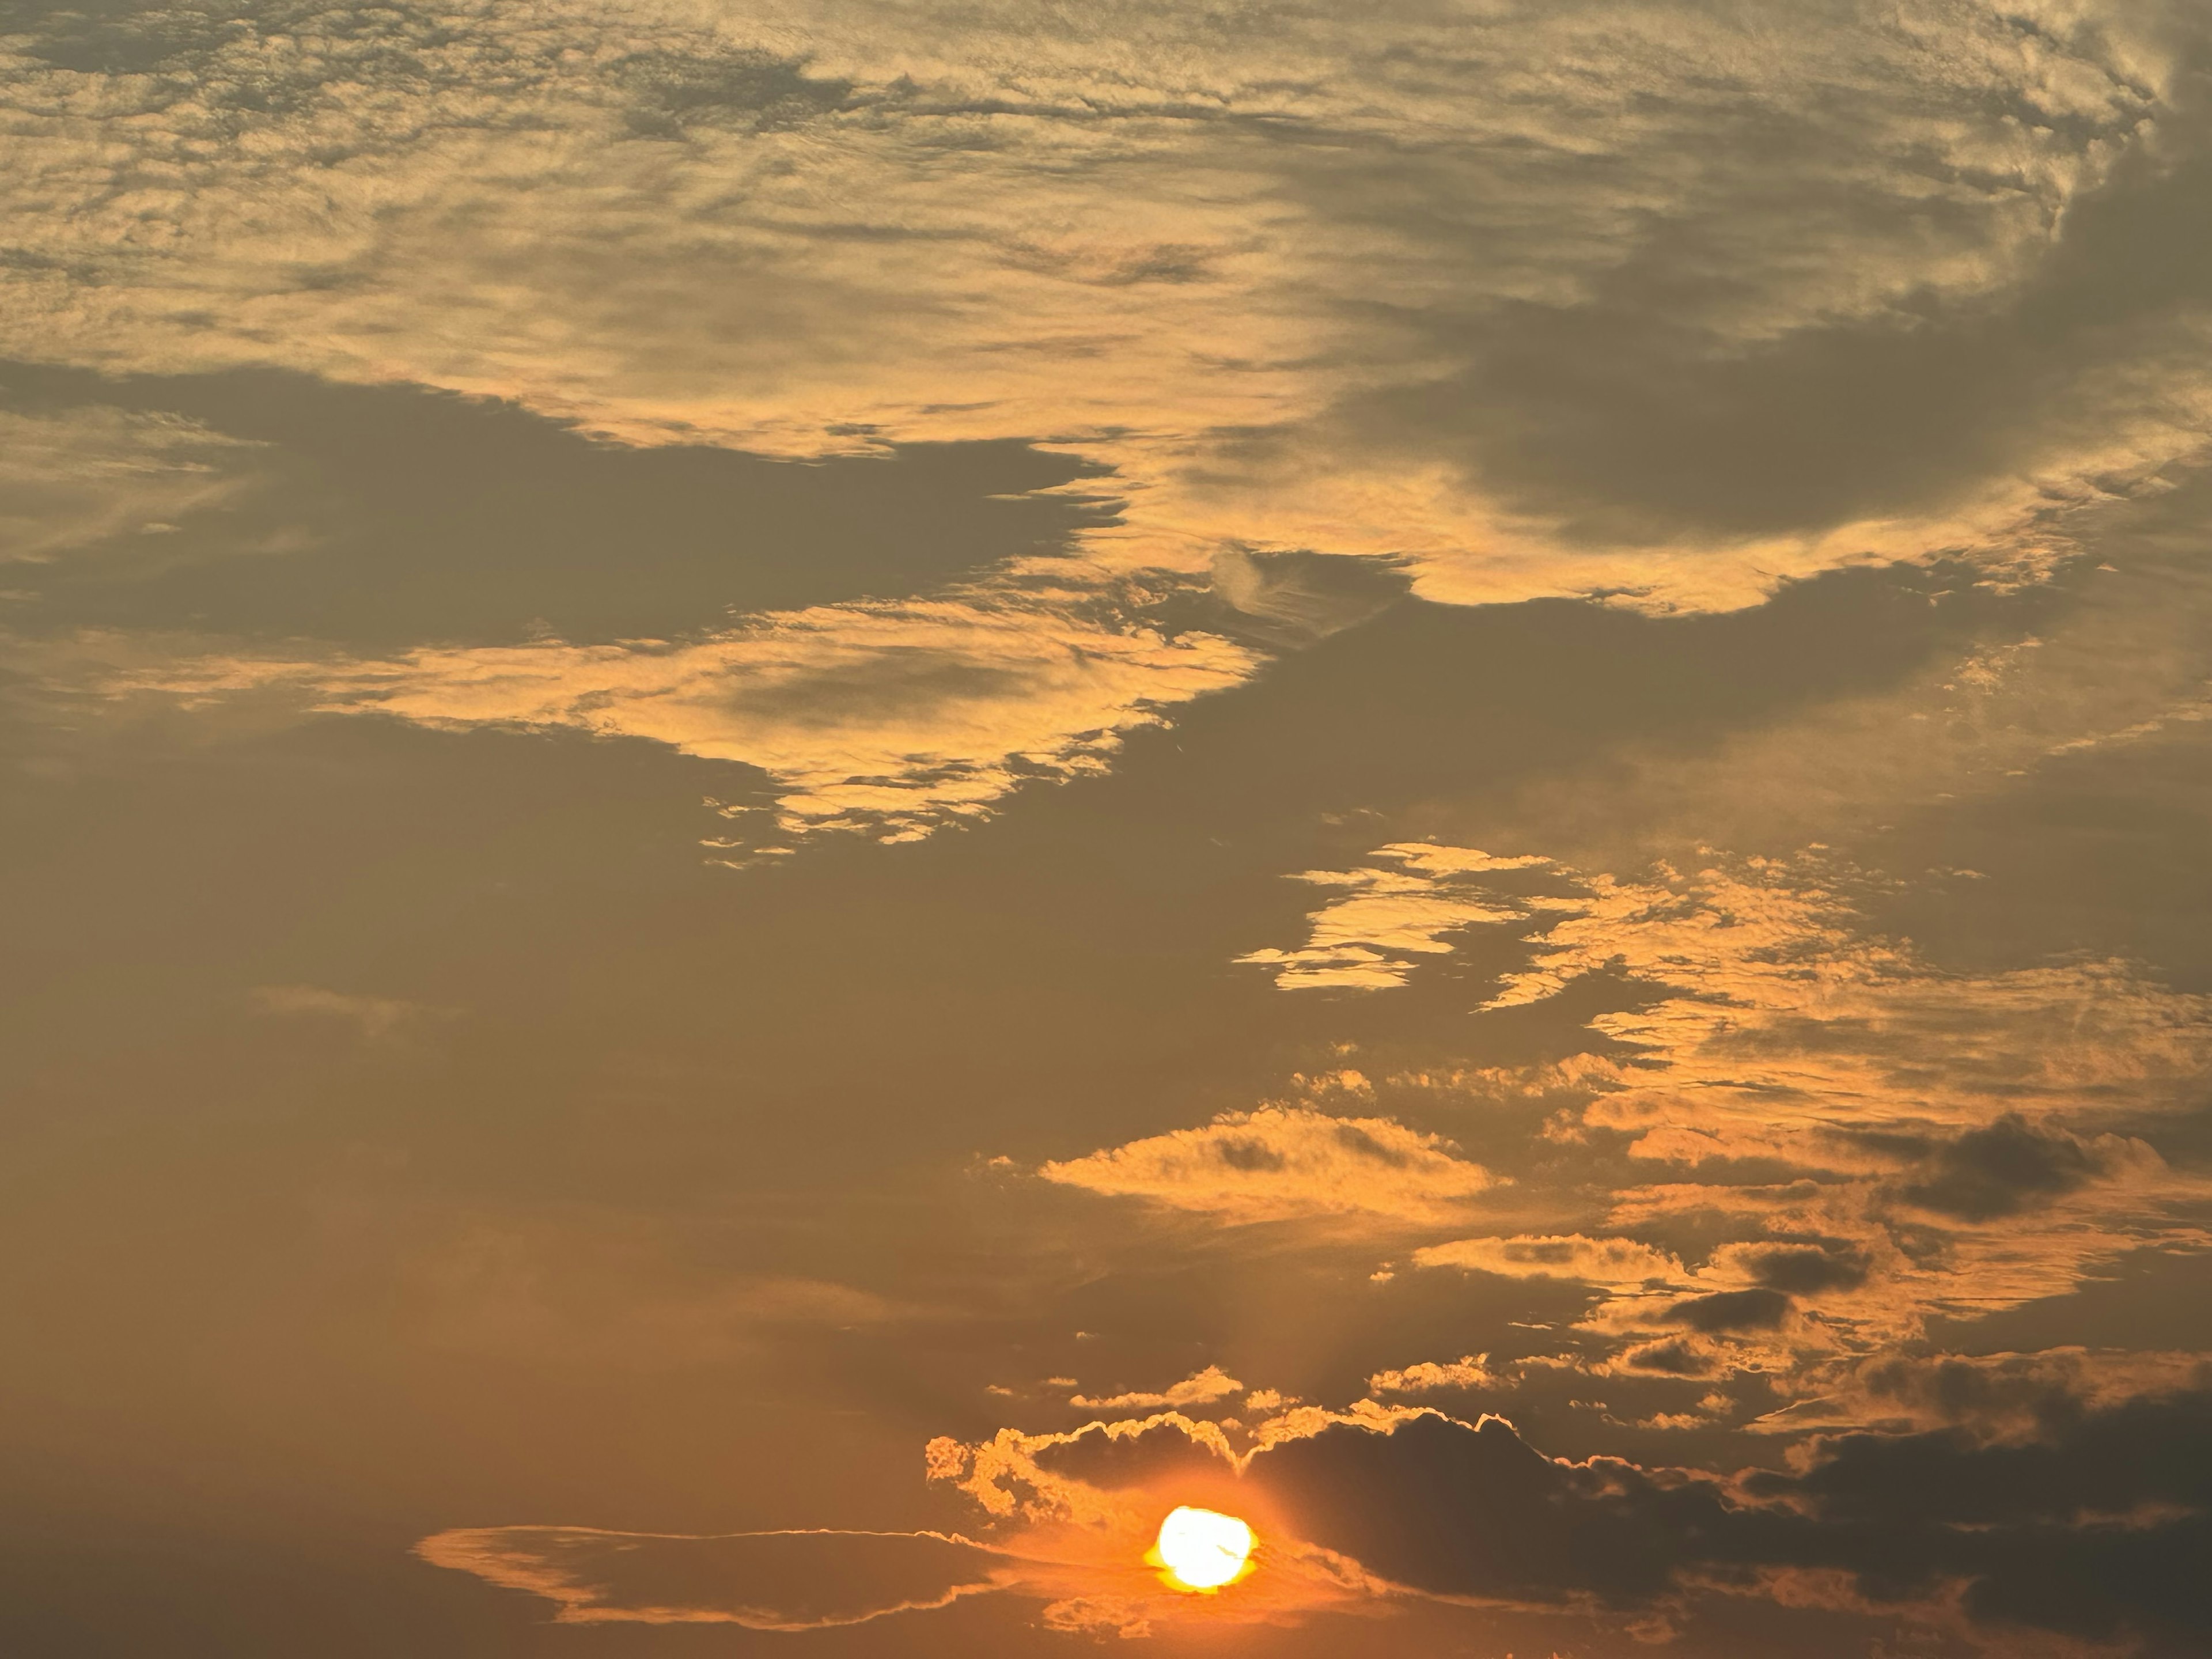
x: 1631, y: 415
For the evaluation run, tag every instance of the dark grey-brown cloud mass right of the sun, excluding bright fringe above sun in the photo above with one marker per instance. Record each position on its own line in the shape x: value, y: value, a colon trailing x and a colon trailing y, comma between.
x: 2096, y: 1532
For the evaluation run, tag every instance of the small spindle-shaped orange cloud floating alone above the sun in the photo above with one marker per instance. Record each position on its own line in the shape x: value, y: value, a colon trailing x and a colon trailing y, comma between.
x: 1284, y: 1162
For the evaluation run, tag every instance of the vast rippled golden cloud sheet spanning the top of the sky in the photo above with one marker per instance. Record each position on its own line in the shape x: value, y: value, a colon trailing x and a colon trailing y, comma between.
x: 1474, y: 260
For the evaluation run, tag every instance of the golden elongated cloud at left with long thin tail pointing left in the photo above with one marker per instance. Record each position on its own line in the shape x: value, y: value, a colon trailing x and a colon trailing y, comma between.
x: 886, y: 718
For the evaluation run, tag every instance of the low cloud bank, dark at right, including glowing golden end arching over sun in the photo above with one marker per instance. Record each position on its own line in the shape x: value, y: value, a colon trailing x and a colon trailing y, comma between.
x: 2083, y: 1532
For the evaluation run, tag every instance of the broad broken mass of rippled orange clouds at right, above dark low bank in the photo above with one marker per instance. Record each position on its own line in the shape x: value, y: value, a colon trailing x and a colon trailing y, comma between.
x: 1866, y: 1140
